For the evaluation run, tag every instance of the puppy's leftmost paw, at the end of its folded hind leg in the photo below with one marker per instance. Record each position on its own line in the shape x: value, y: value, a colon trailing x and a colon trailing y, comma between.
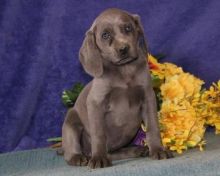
x: 78, y: 160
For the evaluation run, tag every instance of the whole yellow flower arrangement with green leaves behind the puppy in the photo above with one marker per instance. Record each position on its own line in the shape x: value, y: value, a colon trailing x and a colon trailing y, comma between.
x: 185, y: 108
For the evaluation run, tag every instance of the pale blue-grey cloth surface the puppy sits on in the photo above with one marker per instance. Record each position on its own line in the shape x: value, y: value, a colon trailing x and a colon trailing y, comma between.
x: 45, y: 162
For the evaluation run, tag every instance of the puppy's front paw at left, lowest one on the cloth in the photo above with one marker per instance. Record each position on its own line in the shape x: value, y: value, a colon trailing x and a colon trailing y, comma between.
x: 99, y: 162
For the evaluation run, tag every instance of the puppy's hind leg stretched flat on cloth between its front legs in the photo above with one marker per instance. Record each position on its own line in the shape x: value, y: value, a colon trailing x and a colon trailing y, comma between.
x: 129, y: 152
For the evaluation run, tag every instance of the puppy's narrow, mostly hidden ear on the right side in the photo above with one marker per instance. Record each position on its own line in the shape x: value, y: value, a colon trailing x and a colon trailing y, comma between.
x: 141, y: 38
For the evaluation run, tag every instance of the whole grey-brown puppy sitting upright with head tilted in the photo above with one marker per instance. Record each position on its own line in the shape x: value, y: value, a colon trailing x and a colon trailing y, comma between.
x: 110, y: 109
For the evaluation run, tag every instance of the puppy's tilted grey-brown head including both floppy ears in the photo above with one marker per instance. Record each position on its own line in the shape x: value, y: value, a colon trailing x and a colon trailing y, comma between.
x: 116, y: 37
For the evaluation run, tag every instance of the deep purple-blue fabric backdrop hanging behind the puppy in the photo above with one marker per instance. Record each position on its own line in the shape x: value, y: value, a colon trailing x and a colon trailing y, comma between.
x: 39, y: 43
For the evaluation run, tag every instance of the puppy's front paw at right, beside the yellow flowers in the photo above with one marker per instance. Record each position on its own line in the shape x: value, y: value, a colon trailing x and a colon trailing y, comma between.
x: 160, y: 153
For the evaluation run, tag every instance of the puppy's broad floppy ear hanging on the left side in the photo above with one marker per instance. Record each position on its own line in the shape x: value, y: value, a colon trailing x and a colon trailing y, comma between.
x: 89, y: 56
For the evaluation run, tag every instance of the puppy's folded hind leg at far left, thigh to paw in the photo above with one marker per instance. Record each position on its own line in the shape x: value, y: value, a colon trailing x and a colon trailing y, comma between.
x: 71, y: 134
